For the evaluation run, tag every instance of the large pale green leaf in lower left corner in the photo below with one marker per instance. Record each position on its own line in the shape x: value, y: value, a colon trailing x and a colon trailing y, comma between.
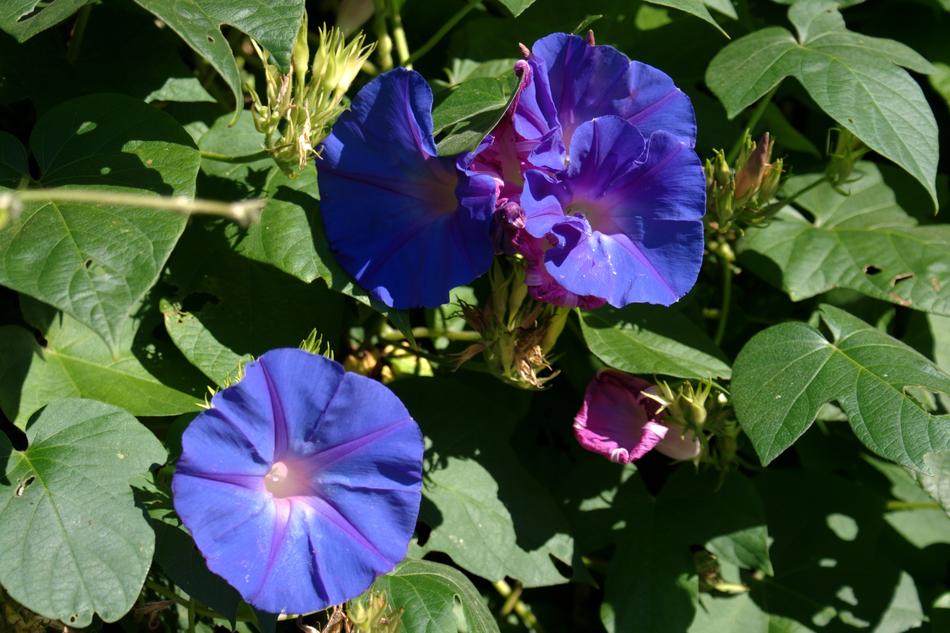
x: 72, y: 541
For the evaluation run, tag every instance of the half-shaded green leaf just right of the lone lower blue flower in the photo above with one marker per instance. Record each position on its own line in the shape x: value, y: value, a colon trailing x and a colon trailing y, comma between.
x: 485, y: 510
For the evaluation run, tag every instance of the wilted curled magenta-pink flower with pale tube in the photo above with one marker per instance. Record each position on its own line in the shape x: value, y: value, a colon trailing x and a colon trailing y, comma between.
x: 618, y: 421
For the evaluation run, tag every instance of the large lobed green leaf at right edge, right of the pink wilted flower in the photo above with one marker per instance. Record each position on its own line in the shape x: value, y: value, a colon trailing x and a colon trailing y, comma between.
x: 785, y: 373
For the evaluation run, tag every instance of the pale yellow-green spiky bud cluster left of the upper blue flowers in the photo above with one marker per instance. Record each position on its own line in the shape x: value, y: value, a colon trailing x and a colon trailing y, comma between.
x: 299, y: 111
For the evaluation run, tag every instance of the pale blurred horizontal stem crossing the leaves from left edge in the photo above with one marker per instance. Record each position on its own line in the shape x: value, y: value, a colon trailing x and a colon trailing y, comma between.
x: 243, y: 212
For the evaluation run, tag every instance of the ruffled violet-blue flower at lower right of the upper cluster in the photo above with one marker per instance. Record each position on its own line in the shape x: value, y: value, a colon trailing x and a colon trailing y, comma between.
x: 625, y: 217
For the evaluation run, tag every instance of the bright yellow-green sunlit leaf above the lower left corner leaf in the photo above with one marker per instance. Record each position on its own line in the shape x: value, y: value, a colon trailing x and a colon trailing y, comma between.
x: 145, y: 377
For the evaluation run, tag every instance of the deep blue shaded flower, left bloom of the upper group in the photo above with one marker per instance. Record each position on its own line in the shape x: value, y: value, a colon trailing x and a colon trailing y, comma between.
x: 408, y: 224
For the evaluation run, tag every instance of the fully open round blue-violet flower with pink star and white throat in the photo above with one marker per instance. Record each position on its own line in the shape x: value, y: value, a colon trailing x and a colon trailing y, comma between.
x: 301, y: 484
